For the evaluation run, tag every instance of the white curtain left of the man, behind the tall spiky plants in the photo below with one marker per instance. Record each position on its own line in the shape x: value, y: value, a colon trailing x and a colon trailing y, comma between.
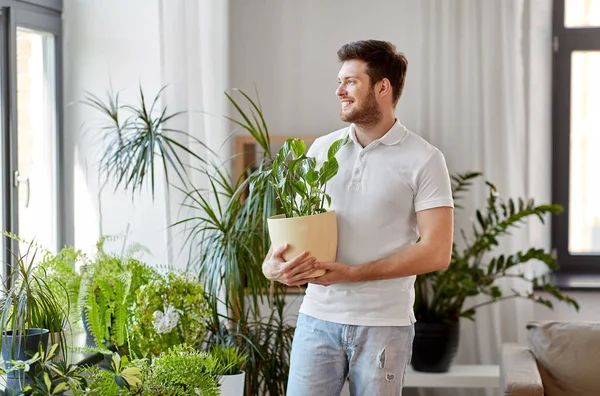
x: 195, y: 56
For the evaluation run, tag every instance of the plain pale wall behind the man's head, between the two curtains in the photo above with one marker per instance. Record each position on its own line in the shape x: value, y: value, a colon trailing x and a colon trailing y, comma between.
x: 288, y: 49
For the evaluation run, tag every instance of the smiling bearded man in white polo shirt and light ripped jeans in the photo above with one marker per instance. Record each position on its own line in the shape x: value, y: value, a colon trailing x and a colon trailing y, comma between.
x: 392, y: 187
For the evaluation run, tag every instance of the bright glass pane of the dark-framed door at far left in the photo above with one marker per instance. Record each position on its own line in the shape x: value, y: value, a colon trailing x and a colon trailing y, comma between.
x: 35, y: 177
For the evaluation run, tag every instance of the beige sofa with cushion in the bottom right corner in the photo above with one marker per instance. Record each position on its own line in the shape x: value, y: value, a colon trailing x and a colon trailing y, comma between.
x: 560, y: 359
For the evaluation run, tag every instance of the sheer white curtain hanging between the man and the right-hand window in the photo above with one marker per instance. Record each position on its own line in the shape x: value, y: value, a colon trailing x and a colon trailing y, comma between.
x: 485, y: 102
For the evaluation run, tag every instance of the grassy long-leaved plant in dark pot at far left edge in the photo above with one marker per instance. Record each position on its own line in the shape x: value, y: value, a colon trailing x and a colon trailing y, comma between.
x: 29, y: 311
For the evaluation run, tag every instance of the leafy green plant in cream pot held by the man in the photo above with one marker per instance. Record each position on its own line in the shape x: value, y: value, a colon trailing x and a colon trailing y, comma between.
x: 300, y: 188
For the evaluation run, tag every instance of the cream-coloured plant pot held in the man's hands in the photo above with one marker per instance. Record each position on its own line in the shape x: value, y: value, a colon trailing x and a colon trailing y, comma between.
x: 316, y: 233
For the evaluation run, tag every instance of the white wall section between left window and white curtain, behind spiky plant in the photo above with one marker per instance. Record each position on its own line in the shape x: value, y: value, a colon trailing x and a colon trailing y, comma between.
x: 108, y: 43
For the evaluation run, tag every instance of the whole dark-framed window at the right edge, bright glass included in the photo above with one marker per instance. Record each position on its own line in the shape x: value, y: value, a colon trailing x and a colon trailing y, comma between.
x: 576, y: 137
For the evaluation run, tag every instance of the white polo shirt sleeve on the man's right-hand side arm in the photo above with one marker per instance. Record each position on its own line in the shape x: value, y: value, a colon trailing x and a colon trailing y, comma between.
x: 433, y: 188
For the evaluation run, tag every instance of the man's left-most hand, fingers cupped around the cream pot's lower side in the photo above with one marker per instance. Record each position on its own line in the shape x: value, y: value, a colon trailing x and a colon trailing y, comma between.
x: 295, y: 272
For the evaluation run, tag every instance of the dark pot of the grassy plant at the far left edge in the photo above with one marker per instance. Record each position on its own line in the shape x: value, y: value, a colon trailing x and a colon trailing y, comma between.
x: 21, y: 348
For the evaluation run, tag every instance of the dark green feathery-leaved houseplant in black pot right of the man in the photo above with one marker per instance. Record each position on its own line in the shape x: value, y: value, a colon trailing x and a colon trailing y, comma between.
x: 475, y: 269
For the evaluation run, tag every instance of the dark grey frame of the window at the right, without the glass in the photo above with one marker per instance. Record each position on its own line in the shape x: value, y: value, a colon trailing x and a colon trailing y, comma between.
x: 581, y: 271
